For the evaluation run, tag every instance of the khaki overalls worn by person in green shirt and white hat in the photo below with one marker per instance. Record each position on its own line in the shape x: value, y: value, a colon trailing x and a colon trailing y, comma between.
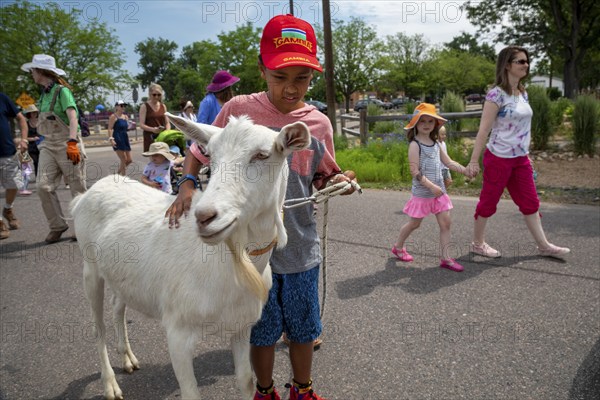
x: 53, y: 165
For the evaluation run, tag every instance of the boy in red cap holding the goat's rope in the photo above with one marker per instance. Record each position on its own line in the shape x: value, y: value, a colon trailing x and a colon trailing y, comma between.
x: 287, y: 61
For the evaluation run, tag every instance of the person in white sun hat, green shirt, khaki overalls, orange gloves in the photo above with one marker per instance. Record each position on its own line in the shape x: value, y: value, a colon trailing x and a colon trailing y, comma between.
x: 61, y: 152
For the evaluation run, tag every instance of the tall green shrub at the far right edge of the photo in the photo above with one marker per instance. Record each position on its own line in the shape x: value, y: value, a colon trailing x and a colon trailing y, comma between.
x: 586, y: 120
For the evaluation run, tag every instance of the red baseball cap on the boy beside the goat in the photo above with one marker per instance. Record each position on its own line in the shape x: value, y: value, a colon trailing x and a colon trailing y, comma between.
x: 289, y: 41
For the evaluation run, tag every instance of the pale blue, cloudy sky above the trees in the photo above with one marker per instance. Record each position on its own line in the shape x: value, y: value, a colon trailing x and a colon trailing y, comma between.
x: 188, y: 21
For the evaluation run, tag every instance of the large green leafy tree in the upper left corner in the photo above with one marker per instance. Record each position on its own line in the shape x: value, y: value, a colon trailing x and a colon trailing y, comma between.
x: 89, y: 53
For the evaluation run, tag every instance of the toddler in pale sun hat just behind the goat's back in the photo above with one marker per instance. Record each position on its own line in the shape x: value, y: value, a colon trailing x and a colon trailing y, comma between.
x: 157, y: 173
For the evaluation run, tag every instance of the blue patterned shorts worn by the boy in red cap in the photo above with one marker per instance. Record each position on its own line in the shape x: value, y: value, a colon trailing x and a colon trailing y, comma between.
x: 292, y: 307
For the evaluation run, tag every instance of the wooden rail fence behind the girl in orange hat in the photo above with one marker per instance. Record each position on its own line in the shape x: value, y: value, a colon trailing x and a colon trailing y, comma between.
x: 361, y: 130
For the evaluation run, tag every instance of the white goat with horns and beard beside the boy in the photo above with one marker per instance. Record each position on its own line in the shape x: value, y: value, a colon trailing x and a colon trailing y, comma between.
x: 186, y: 277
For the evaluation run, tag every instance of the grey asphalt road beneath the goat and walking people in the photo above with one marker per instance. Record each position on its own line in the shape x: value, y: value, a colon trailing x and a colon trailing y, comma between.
x: 518, y: 327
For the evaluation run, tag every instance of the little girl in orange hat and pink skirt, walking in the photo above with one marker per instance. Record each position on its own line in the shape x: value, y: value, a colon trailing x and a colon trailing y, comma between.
x: 428, y: 191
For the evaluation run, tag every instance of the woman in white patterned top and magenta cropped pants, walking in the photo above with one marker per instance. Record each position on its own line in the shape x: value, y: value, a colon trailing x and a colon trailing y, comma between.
x: 507, y: 115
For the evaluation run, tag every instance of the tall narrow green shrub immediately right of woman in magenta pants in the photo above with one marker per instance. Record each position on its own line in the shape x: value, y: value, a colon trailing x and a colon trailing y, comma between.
x: 541, y: 125
